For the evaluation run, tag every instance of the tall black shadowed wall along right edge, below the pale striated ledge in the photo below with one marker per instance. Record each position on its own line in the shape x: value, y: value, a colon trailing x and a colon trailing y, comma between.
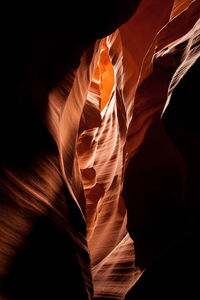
x: 175, y: 274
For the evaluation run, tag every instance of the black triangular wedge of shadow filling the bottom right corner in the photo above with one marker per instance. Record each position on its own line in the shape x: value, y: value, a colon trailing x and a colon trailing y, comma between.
x: 174, y: 275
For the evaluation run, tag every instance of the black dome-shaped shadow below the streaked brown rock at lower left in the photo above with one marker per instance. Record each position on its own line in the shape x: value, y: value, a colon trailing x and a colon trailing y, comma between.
x: 46, y: 267
